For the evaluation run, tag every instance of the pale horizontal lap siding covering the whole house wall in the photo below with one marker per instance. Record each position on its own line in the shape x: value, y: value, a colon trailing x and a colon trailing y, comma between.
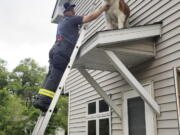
x: 158, y: 70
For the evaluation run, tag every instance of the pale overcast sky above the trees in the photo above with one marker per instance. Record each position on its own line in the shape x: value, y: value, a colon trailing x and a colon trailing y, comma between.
x: 26, y: 31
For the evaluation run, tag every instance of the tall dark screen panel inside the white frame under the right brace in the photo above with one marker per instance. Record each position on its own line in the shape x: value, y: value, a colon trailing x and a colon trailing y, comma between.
x: 136, y: 116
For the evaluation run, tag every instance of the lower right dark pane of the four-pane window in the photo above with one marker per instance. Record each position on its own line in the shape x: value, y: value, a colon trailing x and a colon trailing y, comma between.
x: 104, y: 127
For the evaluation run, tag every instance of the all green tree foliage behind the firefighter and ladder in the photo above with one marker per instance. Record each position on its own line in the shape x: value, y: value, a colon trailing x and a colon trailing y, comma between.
x: 17, y: 115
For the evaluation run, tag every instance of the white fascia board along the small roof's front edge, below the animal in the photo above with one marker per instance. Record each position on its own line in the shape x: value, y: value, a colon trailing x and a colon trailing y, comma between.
x: 123, y: 35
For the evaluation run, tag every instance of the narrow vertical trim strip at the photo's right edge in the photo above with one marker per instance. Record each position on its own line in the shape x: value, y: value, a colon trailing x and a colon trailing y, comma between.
x: 176, y: 78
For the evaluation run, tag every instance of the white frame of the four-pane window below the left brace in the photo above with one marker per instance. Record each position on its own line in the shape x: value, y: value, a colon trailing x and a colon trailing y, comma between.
x: 97, y: 116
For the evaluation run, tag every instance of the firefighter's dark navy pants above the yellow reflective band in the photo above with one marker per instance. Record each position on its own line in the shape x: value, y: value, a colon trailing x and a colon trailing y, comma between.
x: 59, y: 57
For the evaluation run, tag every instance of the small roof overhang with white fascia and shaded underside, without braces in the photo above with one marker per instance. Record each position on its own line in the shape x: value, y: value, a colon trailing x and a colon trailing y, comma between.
x: 132, y: 45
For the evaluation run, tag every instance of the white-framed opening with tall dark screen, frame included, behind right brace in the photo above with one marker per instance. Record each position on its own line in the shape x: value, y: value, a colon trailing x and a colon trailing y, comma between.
x: 138, y: 117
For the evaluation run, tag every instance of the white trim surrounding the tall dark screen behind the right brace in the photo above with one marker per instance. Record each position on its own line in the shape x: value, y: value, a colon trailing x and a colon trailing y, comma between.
x: 150, y: 116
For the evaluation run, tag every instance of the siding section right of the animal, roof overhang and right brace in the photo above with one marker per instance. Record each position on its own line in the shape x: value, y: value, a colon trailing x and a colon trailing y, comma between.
x: 160, y: 70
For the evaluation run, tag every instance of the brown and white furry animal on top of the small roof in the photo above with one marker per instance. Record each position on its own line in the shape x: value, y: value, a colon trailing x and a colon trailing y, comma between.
x: 117, y: 15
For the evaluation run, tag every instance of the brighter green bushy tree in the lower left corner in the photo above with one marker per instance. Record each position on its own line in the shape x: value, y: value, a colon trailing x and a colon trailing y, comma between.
x: 15, y: 118
